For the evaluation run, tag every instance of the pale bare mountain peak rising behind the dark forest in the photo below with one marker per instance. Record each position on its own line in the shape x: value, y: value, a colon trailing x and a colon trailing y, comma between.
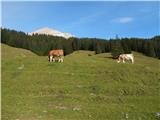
x: 53, y: 32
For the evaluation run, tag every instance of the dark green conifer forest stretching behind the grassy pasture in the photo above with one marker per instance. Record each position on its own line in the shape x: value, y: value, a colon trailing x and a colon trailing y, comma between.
x: 42, y: 44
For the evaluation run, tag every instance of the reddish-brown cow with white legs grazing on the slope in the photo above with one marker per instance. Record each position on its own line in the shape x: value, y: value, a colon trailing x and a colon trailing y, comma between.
x: 56, y: 54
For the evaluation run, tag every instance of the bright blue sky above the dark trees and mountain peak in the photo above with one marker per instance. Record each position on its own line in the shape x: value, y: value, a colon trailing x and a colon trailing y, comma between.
x: 85, y: 19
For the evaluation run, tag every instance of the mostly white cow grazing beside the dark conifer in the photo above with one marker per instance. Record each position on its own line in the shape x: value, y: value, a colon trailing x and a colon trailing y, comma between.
x: 124, y: 57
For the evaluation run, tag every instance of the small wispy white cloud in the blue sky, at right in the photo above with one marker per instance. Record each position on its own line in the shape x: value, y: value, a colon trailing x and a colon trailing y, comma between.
x: 123, y: 20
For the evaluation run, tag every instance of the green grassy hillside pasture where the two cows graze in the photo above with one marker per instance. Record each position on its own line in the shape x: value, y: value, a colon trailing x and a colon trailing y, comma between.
x: 82, y: 88
